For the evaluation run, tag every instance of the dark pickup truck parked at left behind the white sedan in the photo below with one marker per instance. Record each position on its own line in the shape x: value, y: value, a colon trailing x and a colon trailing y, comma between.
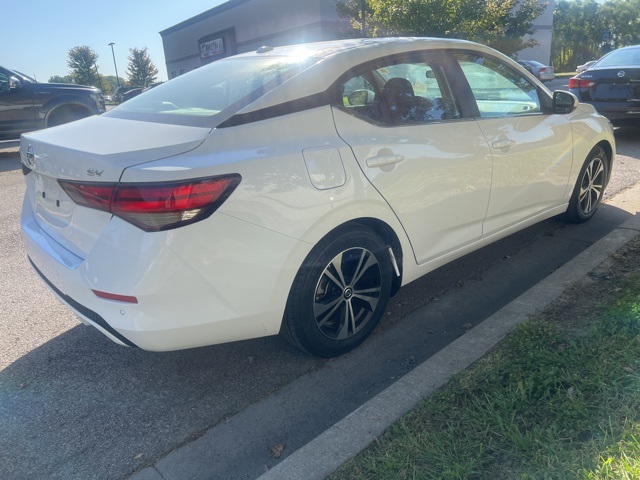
x: 27, y: 105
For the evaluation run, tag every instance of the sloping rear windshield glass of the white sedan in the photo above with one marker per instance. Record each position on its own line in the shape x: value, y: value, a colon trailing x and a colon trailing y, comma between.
x: 218, y: 89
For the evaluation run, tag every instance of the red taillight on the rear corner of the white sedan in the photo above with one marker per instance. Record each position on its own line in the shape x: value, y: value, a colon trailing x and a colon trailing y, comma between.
x: 155, y: 206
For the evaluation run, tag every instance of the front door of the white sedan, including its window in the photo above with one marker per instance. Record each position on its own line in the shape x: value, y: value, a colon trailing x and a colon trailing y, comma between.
x: 531, y: 147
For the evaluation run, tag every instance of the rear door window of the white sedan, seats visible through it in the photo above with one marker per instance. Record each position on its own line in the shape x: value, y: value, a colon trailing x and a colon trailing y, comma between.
x: 400, y: 93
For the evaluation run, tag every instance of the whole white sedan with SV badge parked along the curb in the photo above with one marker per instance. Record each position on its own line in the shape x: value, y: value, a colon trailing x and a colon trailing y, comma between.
x: 295, y: 189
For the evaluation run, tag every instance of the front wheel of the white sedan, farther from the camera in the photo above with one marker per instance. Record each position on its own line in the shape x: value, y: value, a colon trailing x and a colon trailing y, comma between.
x: 589, y: 190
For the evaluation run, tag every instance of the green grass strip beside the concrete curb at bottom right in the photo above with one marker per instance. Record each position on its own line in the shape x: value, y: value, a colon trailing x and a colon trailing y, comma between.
x: 547, y: 403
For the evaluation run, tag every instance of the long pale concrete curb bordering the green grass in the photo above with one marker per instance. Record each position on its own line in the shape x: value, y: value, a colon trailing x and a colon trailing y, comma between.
x: 331, y: 449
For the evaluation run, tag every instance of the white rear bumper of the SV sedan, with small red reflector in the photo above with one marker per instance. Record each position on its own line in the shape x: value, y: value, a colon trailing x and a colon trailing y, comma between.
x: 181, y: 302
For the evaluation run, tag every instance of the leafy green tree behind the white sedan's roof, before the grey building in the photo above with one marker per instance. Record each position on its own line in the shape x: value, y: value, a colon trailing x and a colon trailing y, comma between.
x: 502, y: 24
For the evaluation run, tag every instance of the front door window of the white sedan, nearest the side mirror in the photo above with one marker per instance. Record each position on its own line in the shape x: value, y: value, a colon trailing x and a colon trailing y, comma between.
x: 498, y: 90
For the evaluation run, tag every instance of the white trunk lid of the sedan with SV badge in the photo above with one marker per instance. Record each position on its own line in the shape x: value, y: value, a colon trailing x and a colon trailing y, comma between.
x: 97, y: 149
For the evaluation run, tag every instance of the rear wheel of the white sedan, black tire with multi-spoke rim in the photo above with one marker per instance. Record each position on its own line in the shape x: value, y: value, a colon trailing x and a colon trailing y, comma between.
x: 340, y: 293
